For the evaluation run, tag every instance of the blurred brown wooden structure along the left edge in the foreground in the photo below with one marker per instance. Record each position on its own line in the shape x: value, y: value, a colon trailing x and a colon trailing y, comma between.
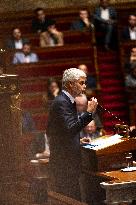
x: 13, y: 186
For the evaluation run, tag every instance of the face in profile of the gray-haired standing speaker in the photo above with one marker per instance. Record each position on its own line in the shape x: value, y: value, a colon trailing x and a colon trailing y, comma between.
x: 78, y: 86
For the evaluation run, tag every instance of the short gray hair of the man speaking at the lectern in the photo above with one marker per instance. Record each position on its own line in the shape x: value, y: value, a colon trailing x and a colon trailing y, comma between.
x: 71, y: 75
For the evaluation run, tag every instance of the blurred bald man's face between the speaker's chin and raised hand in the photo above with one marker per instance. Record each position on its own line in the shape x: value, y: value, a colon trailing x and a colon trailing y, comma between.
x: 81, y: 104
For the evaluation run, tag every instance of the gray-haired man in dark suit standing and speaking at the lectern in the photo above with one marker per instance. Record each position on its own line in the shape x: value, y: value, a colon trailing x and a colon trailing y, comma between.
x: 63, y: 131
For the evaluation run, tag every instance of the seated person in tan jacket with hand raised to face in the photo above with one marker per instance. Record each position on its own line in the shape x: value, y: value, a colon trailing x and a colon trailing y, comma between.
x: 51, y: 37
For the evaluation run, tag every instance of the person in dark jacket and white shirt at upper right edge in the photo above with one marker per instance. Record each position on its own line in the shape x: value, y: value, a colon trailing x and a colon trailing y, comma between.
x: 129, y: 32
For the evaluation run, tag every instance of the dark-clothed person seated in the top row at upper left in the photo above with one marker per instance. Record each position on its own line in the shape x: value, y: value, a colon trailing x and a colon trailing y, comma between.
x: 40, y: 22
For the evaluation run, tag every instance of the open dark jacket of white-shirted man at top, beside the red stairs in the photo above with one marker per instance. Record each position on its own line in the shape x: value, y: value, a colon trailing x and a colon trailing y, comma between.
x: 97, y: 15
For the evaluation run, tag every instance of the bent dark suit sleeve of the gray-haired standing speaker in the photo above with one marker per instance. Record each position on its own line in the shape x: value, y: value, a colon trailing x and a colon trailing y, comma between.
x: 68, y: 122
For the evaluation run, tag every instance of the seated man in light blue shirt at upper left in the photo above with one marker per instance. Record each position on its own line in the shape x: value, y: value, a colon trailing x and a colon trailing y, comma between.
x: 25, y: 56
